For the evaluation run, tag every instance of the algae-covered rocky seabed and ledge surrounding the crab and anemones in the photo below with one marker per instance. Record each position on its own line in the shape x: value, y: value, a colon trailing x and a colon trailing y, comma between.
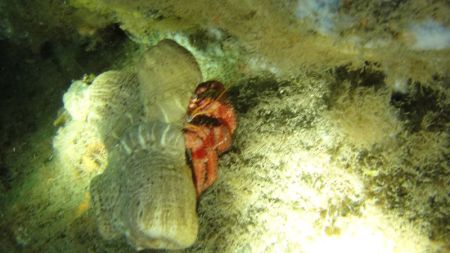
x: 343, y: 107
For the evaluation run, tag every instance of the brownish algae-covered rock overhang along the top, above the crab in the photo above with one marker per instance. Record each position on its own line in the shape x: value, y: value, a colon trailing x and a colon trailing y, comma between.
x: 273, y: 32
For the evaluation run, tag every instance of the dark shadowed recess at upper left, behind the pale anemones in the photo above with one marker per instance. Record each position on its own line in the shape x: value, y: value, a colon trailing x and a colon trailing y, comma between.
x: 33, y: 83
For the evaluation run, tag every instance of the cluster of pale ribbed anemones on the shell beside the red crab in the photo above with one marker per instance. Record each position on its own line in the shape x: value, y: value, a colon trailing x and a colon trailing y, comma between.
x: 146, y: 192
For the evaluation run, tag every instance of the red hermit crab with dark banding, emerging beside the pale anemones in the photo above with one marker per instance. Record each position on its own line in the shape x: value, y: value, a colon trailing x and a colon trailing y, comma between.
x: 208, y: 131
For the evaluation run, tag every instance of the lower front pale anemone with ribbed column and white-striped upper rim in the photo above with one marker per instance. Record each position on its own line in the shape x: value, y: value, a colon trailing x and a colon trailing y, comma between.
x: 147, y: 192
